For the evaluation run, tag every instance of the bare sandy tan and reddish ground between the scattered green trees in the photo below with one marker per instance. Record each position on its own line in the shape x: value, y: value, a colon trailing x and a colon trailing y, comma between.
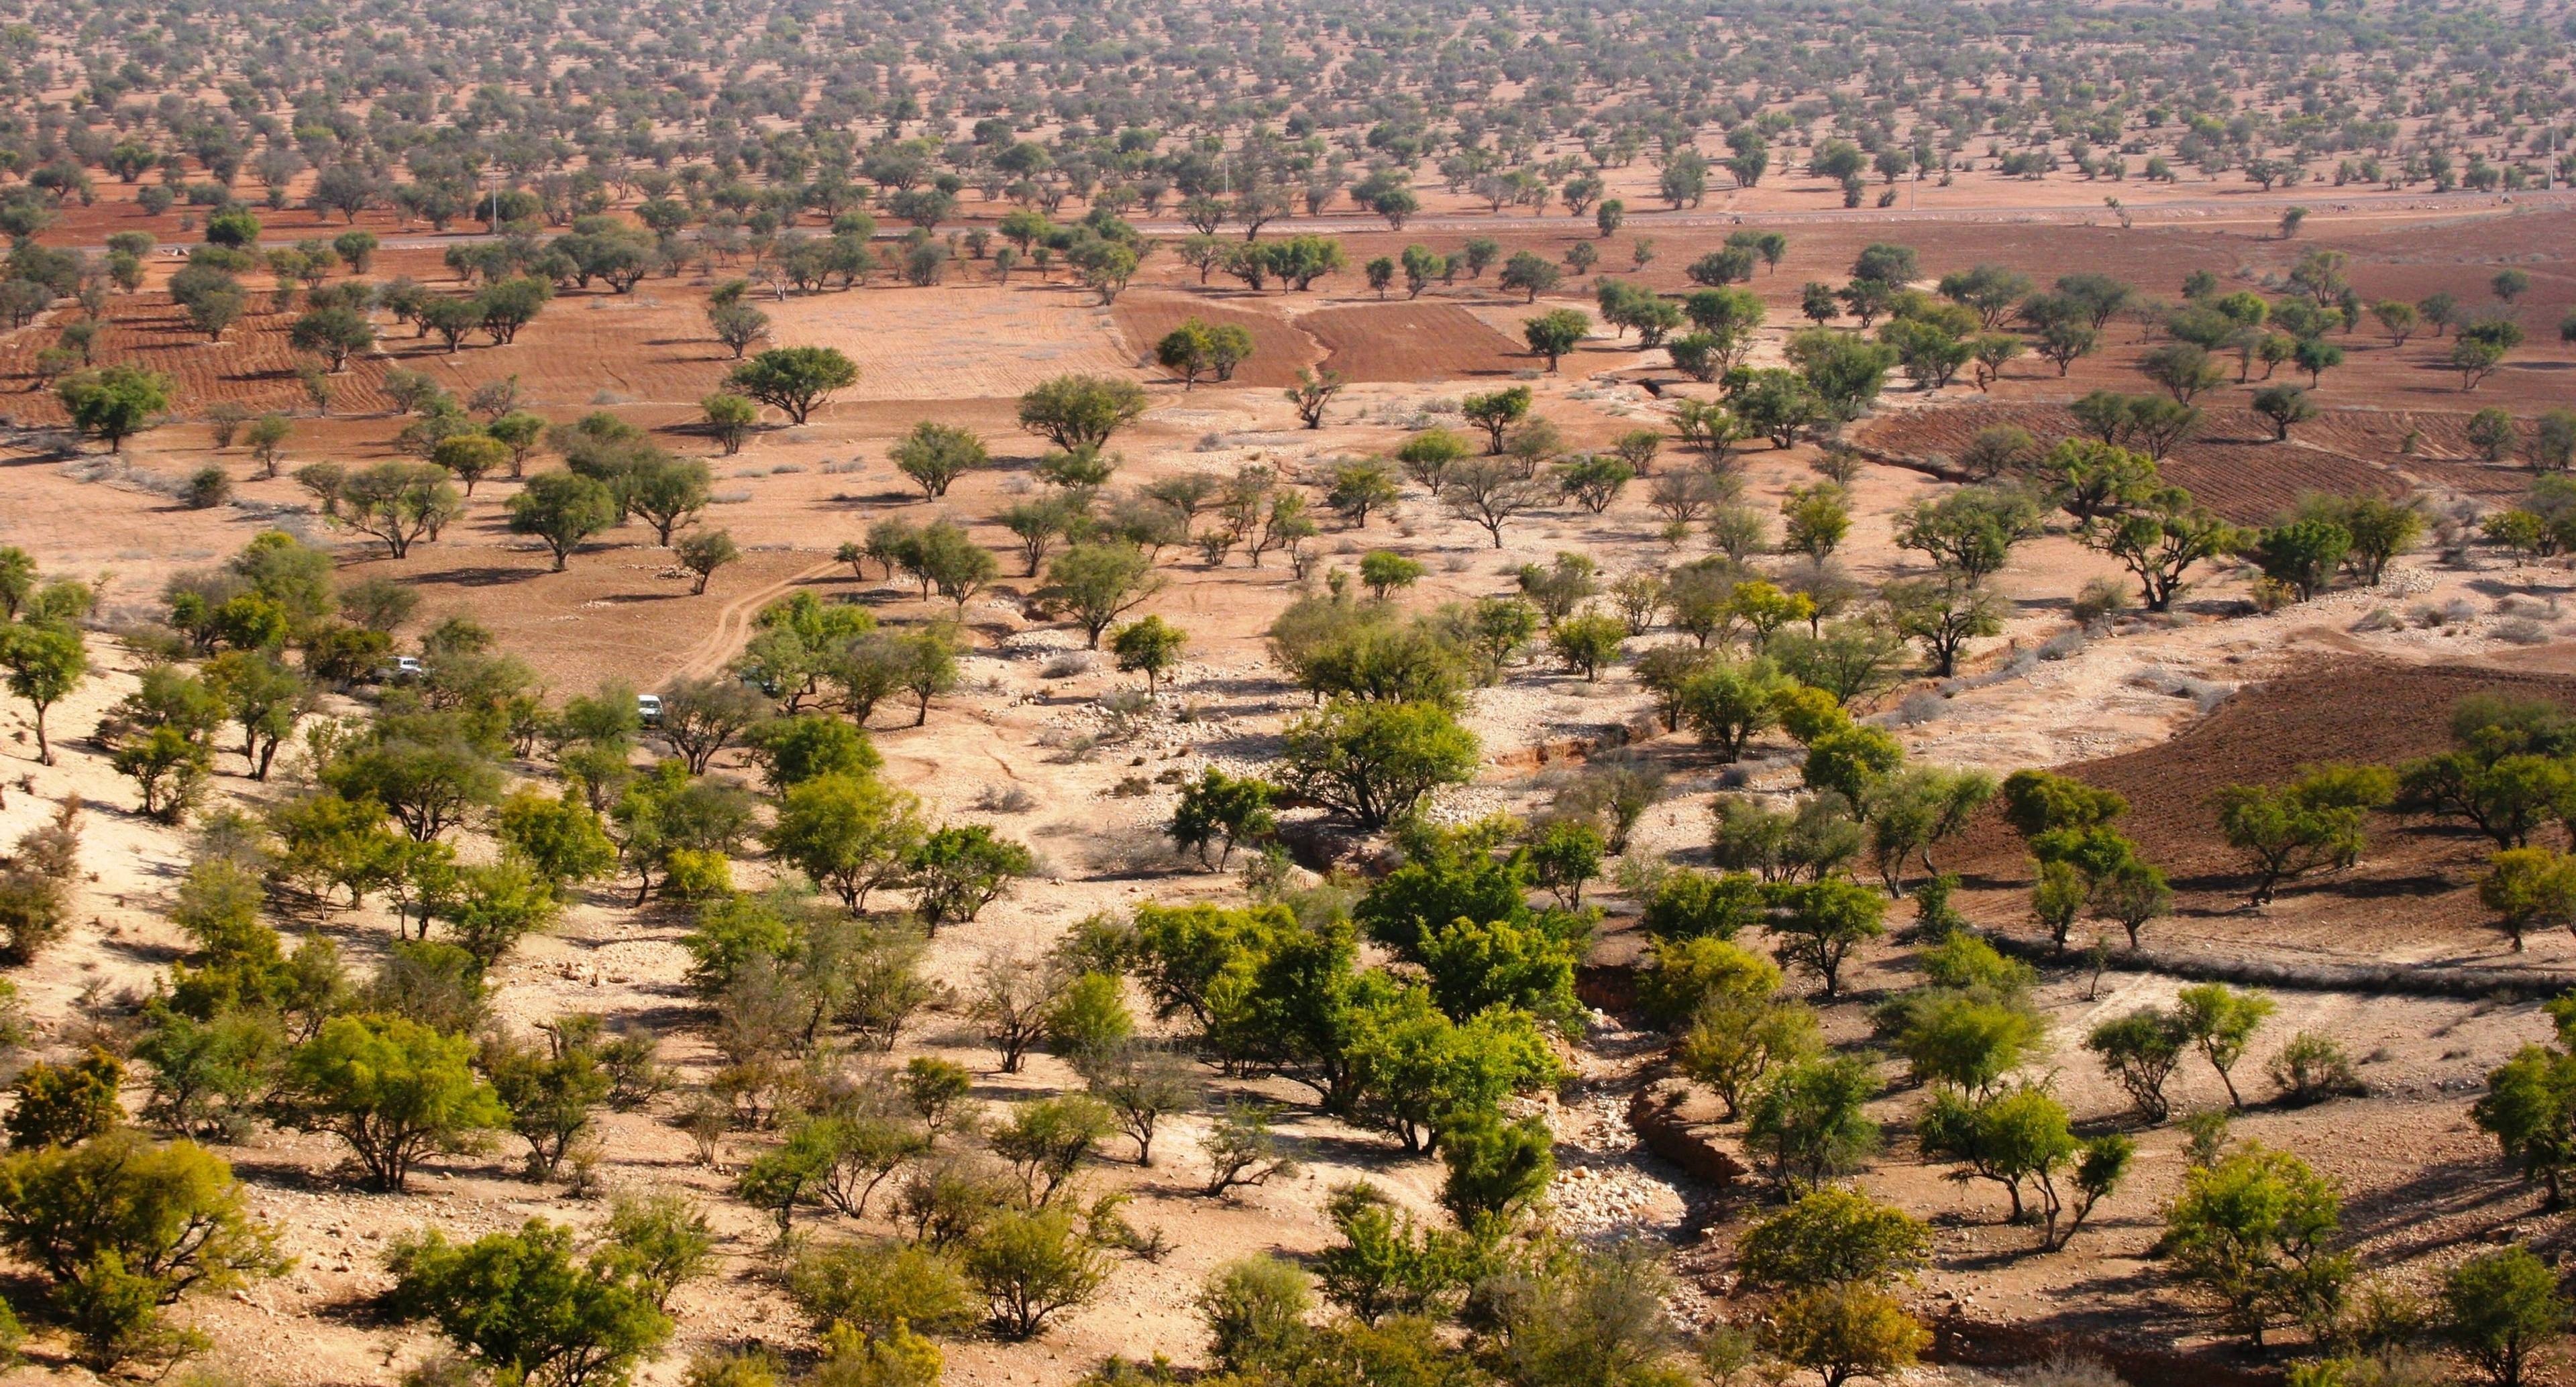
x: 2420, y: 1182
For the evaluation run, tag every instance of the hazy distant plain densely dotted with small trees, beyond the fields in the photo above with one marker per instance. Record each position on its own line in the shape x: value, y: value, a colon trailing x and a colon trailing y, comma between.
x: 751, y: 130
